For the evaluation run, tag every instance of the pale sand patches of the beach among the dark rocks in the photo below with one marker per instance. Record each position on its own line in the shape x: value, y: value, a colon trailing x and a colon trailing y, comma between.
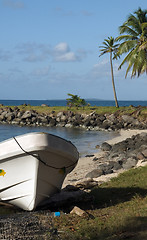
x: 86, y: 164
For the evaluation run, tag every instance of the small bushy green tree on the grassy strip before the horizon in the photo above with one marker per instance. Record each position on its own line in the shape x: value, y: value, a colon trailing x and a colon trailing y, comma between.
x: 75, y: 101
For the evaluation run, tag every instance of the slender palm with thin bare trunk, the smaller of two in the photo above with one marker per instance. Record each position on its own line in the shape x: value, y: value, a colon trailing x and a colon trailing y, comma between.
x: 110, y: 47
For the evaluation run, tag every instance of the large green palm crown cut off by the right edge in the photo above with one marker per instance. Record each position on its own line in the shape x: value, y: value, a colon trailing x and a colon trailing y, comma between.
x: 134, y: 42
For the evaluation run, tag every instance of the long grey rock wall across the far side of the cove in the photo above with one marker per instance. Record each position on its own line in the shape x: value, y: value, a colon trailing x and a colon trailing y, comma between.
x: 92, y: 121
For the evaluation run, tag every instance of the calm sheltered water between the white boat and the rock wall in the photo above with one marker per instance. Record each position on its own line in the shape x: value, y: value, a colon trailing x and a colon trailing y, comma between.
x: 84, y: 140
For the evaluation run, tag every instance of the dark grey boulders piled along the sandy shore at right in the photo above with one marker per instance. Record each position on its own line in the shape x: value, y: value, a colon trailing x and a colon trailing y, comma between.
x: 124, y: 155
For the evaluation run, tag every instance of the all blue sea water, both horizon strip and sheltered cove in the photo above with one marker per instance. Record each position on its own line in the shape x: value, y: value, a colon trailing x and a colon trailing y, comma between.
x: 85, y: 141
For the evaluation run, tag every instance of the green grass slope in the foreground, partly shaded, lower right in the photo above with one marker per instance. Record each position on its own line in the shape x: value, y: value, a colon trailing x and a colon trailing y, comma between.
x: 118, y: 211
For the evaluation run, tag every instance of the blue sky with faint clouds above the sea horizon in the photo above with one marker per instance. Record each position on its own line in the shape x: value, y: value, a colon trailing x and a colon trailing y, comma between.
x: 49, y: 48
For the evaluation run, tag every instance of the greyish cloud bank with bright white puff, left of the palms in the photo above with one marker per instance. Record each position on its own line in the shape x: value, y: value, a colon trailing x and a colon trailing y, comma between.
x: 33, y: 52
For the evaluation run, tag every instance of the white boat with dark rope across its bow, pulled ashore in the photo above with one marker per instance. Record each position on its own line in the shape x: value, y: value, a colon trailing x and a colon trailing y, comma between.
x: 33, y: 167
